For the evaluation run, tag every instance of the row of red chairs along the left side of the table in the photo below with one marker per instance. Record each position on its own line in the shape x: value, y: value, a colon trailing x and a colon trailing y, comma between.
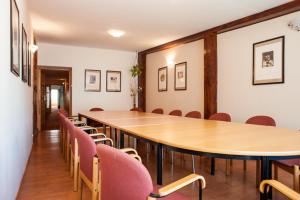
x: 108, y: 172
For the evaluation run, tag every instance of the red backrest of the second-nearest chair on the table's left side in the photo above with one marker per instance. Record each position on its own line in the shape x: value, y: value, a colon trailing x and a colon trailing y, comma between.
x: 86, y: 151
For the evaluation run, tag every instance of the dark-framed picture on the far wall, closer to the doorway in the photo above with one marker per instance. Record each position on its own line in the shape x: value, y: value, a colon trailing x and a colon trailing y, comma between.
x: 92, y: 80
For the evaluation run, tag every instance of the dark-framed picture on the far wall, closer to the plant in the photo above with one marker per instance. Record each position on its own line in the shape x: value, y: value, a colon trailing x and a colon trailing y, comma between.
x: 113, y: 81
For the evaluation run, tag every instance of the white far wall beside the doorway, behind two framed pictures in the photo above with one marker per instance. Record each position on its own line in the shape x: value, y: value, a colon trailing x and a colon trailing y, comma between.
x: 81, y: 58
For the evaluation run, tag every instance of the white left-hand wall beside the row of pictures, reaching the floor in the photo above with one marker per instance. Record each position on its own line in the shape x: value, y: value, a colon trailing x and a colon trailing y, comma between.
x: 16, y: 109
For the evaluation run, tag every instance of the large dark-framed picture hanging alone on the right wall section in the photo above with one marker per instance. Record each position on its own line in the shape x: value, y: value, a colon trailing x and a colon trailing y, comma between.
x: 268, y: 61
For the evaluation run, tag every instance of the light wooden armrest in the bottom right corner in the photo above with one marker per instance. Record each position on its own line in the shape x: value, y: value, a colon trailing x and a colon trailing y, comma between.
x: 288, y: 192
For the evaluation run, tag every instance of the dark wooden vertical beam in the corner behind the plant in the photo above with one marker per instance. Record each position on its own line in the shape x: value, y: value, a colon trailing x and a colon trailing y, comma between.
x: 142, y: 81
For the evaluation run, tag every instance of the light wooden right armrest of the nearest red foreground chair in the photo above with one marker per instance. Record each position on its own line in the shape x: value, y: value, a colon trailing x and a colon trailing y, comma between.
x: 172, y: 187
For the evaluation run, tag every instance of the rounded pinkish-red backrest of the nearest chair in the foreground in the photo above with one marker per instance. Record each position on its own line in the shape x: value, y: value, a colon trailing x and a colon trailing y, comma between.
x: 122, y: 176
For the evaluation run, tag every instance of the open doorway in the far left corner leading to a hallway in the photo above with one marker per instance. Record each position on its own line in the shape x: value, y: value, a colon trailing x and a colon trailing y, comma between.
x: 55, y: 94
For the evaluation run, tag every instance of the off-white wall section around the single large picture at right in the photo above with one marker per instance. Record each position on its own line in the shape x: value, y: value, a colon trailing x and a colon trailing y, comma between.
x: 237, y: 95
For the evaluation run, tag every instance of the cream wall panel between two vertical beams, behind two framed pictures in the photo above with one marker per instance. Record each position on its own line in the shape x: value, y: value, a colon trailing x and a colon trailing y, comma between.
x: 187, y: 100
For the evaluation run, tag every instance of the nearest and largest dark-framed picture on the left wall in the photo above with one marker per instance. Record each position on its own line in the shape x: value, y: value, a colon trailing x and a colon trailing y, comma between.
x: 14, y: 38
